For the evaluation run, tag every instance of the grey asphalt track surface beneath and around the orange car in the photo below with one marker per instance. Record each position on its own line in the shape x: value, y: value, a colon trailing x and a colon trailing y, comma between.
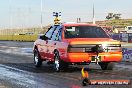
x: 18, y: 71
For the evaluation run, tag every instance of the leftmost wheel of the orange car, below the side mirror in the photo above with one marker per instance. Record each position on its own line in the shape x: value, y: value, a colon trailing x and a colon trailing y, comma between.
x: 37, y: 59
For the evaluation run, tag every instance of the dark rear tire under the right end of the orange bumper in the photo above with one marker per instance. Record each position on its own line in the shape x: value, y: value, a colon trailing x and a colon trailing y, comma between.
x: 106, y: 65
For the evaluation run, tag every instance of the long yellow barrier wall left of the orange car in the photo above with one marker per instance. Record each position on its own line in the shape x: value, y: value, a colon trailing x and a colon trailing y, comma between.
x: 18, y: 37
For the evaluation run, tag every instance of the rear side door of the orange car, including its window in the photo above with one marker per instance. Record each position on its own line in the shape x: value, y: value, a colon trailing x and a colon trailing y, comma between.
x: 57, y: 43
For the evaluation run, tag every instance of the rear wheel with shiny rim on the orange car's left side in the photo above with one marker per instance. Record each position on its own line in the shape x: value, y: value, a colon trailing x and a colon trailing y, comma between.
x: 58, y: 63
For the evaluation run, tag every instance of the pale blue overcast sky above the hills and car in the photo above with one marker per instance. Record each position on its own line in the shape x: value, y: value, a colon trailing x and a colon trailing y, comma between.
x: 26, y: 13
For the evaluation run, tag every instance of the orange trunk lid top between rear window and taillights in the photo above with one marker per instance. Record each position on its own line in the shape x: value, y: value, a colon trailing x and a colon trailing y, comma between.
x: 92, y: 41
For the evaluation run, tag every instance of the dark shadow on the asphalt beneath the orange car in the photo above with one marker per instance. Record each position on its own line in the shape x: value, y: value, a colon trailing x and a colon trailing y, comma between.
x: 49, y: 68
